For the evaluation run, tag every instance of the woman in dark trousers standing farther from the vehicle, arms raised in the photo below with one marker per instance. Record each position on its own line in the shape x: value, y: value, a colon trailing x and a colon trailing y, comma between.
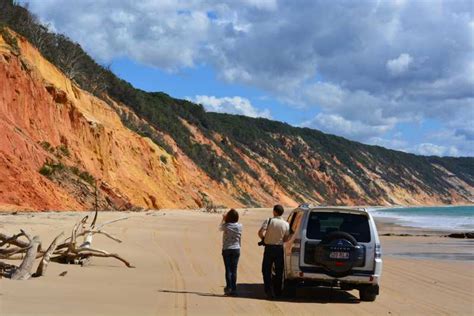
x: 232, y: 232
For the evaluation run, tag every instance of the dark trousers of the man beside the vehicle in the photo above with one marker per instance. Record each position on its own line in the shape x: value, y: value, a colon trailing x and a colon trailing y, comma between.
x: 273, y: 255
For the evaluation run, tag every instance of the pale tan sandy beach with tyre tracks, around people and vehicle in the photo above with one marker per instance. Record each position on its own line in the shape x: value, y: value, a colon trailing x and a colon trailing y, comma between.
x: 179, y: 271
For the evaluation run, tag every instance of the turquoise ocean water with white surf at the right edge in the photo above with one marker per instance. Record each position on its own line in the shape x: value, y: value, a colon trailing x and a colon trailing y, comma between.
x: 458, y: 218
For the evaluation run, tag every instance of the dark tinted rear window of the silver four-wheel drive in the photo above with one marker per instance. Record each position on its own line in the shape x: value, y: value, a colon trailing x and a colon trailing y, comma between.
x: 322, y: 223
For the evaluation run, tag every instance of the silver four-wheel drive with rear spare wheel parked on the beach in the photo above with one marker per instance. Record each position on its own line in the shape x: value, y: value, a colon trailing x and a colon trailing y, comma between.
x: 331, y: 246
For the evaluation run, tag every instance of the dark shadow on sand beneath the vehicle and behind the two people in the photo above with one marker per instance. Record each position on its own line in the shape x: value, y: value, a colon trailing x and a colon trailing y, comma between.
x: 303, y: 295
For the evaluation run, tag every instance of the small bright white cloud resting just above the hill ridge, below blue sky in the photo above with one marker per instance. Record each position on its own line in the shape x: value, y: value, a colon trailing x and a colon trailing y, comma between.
x: 232, y: 105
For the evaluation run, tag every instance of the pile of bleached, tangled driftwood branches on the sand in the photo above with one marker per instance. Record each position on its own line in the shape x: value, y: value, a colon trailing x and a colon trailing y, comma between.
x: 24, y: 247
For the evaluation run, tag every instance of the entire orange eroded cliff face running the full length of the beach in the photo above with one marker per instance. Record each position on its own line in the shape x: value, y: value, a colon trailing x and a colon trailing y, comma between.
x: 57, y: 142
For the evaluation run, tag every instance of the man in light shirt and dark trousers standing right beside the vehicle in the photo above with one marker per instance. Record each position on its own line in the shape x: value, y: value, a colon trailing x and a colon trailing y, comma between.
x: 273, y: 233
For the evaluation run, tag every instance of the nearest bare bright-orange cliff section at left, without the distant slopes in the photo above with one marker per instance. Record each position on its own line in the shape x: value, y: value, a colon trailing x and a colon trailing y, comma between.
x: 42, y: 113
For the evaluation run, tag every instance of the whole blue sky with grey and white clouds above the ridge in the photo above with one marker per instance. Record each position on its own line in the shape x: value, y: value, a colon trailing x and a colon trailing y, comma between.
x: 395, y: 73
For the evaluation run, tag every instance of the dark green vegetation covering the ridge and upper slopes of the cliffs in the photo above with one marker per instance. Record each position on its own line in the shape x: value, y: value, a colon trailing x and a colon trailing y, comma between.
x: 268, y: 140
